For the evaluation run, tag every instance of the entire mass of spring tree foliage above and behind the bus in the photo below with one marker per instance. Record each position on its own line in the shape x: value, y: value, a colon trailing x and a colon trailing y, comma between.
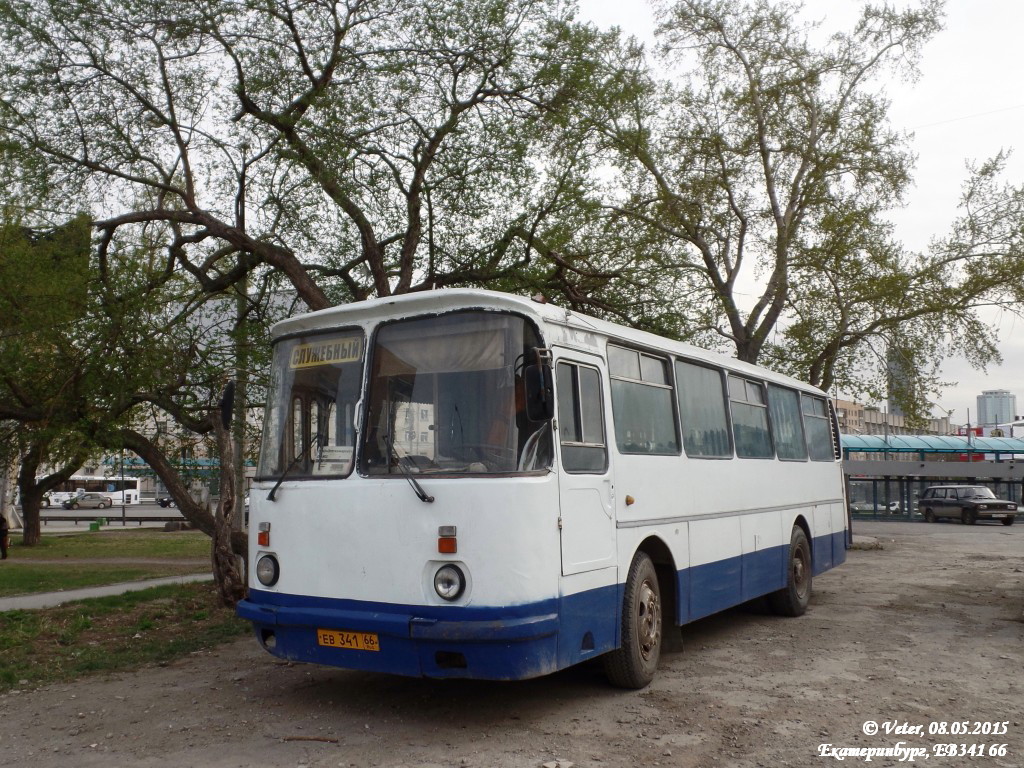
x: 334, y: 153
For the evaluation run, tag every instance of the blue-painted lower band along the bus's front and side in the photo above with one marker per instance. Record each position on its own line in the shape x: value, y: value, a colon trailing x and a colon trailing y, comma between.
x: 506, y: 643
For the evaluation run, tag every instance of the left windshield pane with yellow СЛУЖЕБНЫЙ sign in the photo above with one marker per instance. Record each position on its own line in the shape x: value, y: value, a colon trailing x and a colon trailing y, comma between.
x: 310, y: 429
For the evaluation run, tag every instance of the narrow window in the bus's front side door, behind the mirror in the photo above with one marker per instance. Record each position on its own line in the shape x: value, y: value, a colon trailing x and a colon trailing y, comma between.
x: 581, y: 419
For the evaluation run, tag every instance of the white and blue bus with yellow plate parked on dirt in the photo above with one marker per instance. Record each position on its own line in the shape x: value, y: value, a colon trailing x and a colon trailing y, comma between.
x: 468, y: 484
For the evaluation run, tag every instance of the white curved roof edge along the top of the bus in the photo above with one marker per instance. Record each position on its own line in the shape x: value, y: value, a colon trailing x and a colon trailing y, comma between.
x: 446, y: 301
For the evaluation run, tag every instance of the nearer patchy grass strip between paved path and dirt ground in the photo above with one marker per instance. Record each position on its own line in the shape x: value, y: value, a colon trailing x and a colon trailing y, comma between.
x: 111, y: 634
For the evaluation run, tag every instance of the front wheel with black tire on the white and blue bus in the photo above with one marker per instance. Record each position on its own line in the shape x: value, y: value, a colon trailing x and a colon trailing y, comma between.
x: 633, y: 664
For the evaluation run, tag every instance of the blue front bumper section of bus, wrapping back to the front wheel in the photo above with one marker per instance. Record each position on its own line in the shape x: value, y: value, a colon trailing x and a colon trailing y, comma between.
x: 498, y: 644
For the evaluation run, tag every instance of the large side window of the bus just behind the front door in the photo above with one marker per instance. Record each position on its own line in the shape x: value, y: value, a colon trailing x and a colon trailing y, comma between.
x: 642, y: 403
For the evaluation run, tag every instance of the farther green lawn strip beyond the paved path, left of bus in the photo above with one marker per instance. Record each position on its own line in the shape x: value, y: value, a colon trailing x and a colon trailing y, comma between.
x: 65, y: 562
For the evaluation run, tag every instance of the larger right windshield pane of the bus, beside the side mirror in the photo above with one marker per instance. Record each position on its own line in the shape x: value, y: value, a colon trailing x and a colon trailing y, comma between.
x: 446, y: 397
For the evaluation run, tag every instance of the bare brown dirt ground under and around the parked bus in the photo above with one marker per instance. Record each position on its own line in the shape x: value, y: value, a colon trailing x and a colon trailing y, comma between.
x: 927, y: 630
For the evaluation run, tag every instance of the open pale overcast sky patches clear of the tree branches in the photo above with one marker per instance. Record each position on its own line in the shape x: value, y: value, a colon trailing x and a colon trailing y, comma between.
x: 968, y: 105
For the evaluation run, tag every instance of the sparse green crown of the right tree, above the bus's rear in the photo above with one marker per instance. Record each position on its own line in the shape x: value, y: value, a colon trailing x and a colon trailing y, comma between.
x: 751, y: 194
